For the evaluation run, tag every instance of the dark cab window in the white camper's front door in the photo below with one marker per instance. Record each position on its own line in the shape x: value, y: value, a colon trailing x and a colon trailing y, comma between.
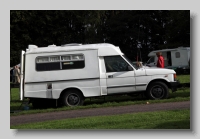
x: 115, y: 64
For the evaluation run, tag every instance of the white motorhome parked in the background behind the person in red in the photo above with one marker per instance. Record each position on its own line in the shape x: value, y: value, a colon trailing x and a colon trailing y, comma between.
x: 173, y: 58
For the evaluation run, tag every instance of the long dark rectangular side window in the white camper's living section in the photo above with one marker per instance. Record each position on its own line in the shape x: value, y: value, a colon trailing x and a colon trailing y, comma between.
x: 49, y: 63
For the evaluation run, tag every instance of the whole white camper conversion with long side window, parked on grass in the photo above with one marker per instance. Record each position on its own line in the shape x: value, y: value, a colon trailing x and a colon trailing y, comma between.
x: 73, y: 72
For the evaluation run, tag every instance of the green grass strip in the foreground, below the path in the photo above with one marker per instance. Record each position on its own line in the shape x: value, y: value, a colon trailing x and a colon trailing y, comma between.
x: 174, y: 119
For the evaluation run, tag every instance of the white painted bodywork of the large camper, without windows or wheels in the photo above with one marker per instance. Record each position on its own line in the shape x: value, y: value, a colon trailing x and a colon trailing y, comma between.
x: 92, y: 80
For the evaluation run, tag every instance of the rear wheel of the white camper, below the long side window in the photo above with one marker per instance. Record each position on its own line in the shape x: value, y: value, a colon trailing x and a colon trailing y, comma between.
x: 73, y: 98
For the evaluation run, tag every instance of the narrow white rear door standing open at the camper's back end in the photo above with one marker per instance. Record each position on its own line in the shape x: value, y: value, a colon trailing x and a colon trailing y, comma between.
x: 22, y: 75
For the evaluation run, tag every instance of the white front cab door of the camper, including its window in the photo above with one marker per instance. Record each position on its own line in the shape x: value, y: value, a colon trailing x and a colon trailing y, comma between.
x: 119, y: 74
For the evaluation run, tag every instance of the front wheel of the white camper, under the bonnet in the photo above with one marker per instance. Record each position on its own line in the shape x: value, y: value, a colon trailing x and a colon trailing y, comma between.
x: 157, y: 90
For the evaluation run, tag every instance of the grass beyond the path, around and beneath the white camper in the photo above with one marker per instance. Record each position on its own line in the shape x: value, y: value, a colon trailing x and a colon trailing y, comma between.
x: 183, y: 94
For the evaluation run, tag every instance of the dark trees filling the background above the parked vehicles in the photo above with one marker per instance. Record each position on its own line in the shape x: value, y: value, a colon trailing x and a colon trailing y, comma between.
x: 130, y: 30
